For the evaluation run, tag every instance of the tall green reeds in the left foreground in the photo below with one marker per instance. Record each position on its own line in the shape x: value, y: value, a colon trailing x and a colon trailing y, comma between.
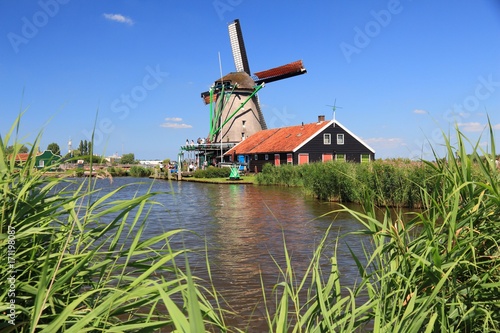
x: 80, y: 262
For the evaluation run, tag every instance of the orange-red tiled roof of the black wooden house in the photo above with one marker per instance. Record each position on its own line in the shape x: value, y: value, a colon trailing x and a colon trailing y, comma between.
x: 284, y: 139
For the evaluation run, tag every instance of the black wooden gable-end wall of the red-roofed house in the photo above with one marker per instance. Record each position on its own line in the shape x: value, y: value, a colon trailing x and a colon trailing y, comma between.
x: 352, y: 148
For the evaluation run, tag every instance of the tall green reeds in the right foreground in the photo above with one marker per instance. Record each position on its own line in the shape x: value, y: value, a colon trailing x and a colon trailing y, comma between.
x: 436, y: 270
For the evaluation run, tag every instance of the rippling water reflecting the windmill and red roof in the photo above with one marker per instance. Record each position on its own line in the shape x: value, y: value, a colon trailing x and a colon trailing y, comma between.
x: 243, y: 228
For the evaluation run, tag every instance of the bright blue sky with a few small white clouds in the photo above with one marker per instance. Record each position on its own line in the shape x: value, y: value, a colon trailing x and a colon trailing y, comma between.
x: 401, y: 71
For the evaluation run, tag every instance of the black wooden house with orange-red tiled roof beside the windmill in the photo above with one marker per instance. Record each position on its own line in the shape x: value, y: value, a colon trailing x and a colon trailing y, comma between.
x: 316, y: 142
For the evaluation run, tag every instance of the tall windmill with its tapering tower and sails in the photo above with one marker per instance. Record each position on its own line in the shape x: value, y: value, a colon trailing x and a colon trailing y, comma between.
x: 235, y: 112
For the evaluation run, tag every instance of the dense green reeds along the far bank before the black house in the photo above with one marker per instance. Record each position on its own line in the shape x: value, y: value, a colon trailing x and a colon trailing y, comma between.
x: 391, y: 182
